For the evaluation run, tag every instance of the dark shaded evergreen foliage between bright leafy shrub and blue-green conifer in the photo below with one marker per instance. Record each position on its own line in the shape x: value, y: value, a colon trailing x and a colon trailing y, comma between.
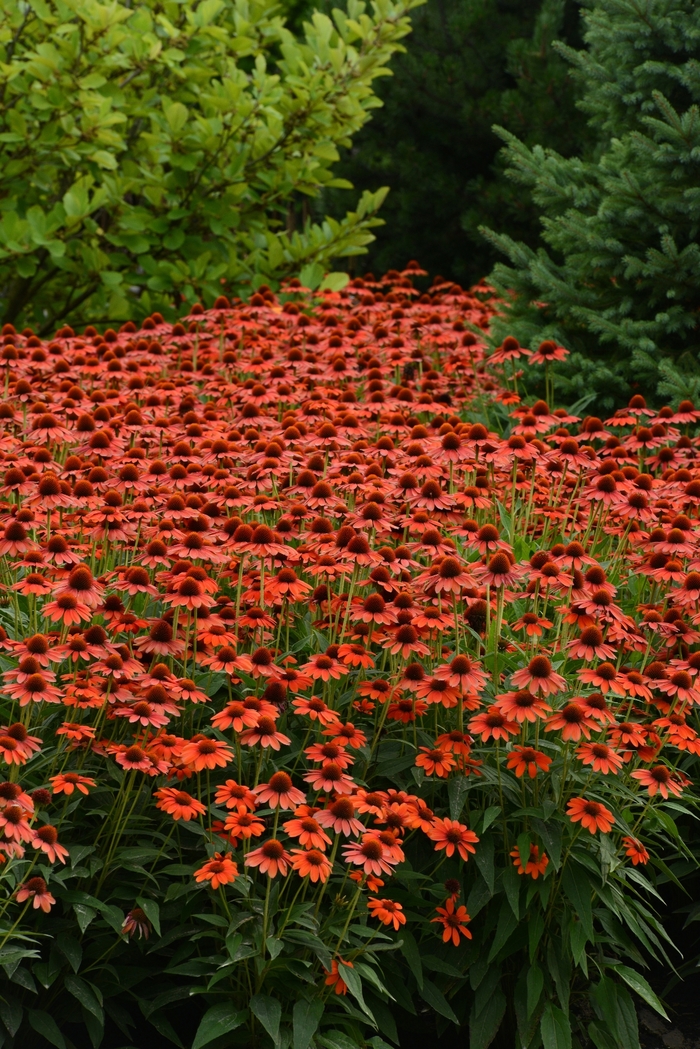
x: 468, y: 67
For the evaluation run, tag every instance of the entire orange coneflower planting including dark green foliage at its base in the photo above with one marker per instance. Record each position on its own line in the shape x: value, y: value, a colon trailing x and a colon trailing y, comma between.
x: 336, y: 678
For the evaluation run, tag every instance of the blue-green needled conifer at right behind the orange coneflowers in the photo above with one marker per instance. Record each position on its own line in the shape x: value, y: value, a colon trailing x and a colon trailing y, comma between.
x: 617, y: 277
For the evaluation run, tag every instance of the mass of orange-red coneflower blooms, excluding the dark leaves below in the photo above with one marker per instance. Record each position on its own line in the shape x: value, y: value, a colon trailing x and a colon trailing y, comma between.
x: 260, y: 564
